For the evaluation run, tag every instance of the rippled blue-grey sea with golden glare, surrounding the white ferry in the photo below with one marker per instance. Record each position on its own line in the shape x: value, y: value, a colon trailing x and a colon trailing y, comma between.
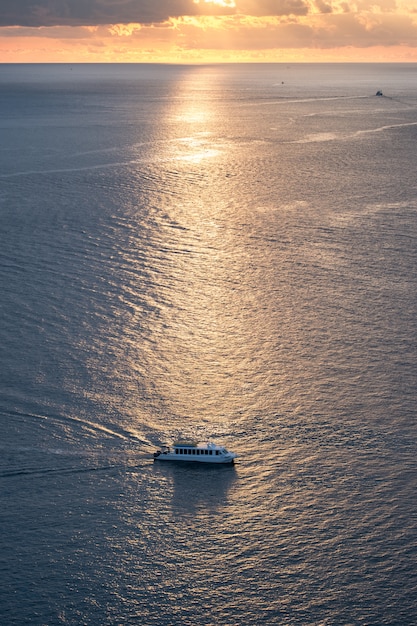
x: 221, y: 252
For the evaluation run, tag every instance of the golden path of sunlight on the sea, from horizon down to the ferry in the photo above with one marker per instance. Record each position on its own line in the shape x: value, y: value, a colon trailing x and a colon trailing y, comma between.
x: 211, y: 332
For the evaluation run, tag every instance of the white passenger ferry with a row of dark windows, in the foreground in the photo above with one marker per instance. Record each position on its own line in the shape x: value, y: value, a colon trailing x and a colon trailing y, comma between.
x: 198, y: 453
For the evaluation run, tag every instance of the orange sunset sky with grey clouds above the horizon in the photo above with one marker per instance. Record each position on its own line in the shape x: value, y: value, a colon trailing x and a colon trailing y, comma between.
x: 207, y: 31
